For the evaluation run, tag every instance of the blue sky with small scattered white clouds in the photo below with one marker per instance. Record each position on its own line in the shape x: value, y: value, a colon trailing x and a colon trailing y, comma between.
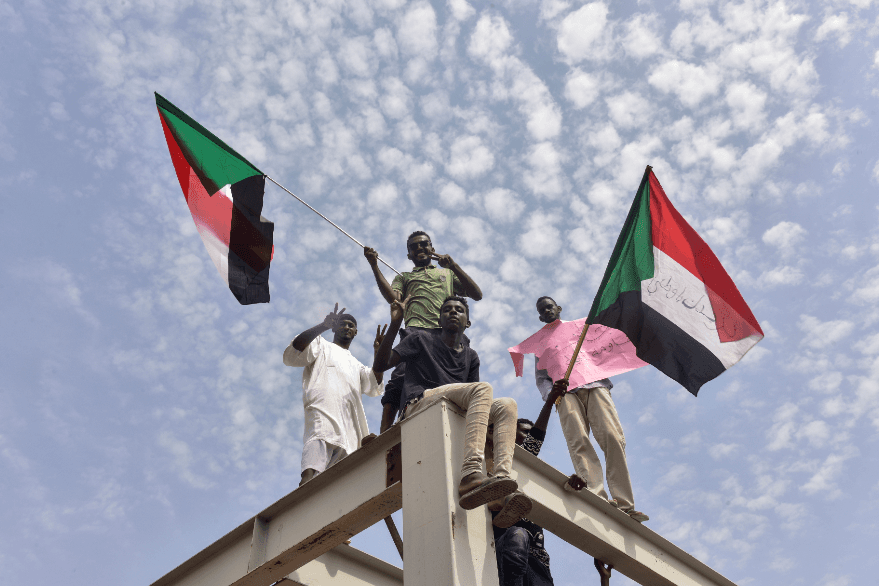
x: 144, y: 413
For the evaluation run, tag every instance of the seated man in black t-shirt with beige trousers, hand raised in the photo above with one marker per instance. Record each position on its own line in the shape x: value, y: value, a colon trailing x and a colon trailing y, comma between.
x: 439, y: 365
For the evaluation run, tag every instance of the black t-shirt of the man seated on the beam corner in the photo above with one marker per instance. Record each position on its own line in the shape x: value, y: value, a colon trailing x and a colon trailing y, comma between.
x: 431, y: 364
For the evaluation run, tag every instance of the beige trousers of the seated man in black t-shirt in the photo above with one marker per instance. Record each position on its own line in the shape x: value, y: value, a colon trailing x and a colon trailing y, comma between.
x: 477, y: 400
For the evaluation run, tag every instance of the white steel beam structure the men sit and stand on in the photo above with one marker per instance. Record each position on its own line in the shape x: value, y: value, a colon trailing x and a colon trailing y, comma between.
x: 300, y: 539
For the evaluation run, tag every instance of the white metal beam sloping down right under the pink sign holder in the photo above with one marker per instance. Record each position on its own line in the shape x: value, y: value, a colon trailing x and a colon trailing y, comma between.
x: 589, y: 523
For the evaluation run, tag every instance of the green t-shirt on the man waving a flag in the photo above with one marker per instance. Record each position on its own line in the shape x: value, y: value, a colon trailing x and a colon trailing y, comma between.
x: 427, y: 288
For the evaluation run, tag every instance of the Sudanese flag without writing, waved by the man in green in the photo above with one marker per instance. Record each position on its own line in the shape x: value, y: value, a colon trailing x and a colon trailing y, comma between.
x: 224, y: 192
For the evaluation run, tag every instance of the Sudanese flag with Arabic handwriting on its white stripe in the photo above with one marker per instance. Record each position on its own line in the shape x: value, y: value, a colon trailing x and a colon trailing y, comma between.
x: 666, y: 290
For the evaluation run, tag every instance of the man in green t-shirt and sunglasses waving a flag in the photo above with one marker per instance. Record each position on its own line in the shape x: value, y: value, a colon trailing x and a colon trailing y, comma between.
x: 422, y: 292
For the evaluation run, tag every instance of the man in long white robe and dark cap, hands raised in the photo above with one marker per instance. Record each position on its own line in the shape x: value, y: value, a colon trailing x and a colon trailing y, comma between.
x: 332, y: 383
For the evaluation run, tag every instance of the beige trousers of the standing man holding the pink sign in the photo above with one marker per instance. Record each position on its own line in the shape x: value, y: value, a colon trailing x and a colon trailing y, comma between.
x: 593, y: 408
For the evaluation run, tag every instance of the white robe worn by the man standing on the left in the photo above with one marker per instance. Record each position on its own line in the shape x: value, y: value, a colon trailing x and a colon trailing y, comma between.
x: 332, y: 383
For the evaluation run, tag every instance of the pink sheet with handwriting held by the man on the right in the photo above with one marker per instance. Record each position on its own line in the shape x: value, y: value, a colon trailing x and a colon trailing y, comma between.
x: 606, y: 352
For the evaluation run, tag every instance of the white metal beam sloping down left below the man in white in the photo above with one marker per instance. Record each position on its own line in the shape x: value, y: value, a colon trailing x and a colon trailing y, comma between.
x: 310, y: 521
